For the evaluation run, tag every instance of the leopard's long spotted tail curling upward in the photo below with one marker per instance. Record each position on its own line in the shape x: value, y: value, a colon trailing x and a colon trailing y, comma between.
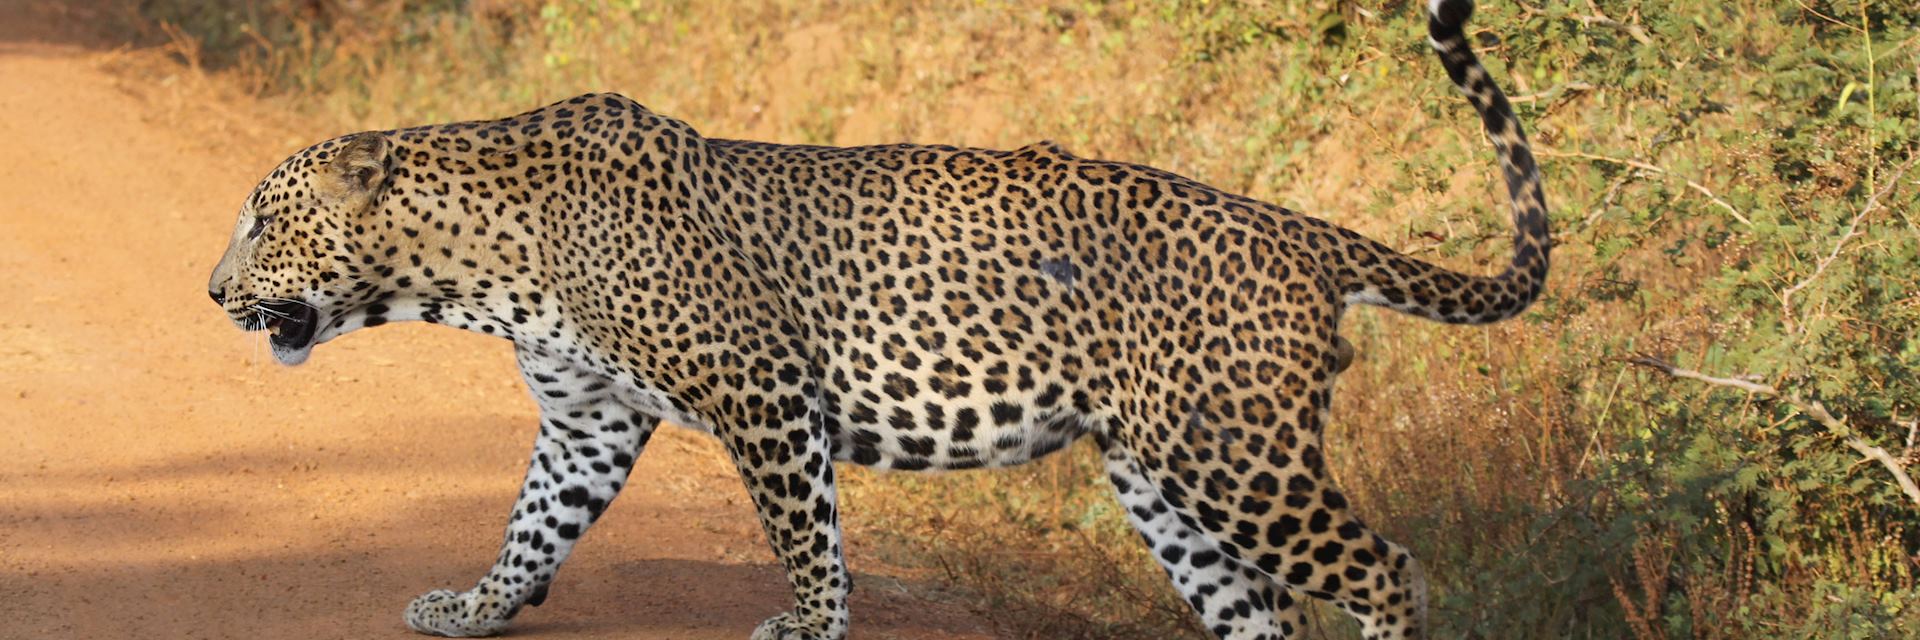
x: 1376, y: 274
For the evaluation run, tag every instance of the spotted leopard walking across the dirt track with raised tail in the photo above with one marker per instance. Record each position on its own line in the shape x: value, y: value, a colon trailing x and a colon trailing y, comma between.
x: 909, y: 308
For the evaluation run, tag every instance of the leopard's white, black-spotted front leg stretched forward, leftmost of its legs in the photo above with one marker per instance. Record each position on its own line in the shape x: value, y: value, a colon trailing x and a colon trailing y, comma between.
x: 587, y: 447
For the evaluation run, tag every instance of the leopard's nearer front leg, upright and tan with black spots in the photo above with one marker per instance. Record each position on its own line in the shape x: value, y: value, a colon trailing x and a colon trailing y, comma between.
x: 790, y: 474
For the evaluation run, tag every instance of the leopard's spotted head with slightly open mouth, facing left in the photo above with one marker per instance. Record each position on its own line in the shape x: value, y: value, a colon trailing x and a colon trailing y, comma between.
x: 302, y: 255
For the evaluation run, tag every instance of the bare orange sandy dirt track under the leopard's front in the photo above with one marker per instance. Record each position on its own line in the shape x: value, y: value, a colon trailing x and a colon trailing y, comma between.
x: 160, y: 478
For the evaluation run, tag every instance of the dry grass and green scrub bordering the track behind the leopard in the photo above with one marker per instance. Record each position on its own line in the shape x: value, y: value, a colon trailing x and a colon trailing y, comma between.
x: 1712, y: 168
